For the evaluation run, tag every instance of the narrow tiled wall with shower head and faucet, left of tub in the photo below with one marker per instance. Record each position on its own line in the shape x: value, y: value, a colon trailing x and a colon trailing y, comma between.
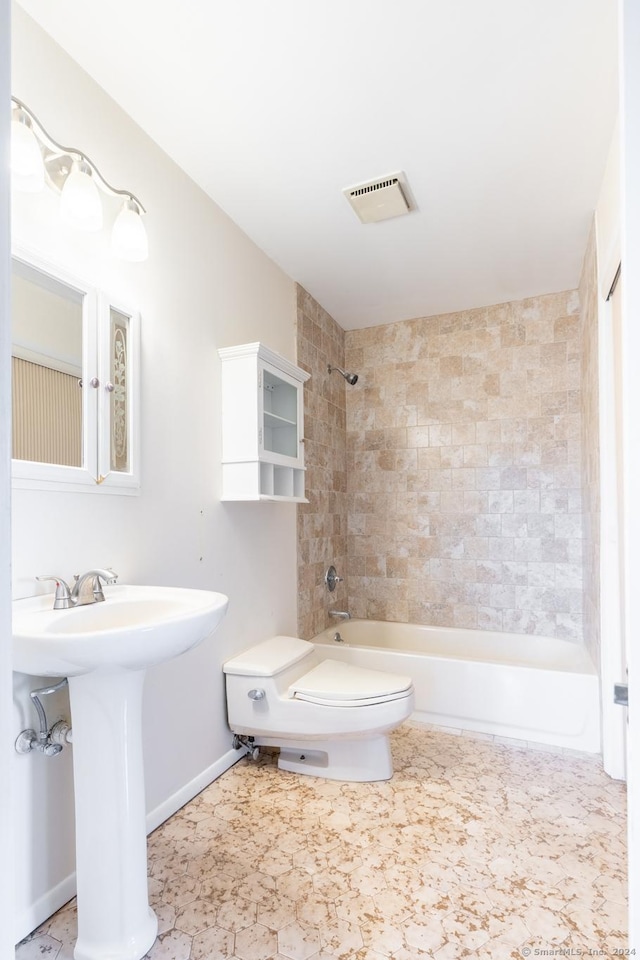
x: 322, y: 525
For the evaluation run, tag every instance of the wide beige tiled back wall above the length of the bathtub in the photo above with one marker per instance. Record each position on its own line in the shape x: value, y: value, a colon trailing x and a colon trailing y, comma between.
x: 464, y: 487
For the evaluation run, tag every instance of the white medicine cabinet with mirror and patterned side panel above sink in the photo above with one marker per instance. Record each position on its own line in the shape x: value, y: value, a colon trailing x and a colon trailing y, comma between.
x: 75, y: 382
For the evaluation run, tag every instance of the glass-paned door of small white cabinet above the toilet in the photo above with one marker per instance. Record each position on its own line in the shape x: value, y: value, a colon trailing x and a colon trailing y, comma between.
x: 280, y: 412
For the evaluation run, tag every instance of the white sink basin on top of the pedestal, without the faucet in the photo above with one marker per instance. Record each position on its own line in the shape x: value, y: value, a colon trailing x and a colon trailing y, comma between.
x: 135, y: 627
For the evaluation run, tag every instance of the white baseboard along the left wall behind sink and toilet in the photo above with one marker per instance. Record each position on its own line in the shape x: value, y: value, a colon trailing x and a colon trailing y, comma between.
x: 36, y: 913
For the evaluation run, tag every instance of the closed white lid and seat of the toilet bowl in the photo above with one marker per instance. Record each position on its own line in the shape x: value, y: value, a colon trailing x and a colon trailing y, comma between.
x: 342, y: 684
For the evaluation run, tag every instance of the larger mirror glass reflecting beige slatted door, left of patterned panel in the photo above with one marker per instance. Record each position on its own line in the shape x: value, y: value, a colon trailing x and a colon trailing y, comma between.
x: 46, y: 366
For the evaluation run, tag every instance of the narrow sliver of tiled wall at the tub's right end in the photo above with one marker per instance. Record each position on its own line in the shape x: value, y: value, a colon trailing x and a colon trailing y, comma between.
x: 588, y: 291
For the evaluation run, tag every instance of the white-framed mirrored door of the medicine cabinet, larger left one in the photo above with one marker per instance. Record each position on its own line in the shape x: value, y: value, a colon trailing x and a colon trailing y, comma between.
x: 54, y: 398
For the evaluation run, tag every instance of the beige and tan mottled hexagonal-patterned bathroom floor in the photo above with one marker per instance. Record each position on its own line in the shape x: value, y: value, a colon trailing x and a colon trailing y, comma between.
x: 473, y: 849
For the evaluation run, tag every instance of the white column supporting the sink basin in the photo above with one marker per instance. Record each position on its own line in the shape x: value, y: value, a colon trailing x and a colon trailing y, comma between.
x: 115, y: 921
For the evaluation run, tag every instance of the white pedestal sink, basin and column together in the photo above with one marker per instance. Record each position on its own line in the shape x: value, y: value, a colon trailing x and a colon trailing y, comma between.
x: 104, y: 650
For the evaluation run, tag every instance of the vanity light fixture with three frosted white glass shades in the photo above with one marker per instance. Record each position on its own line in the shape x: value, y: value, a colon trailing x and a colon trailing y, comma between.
x: 36, y: 159
